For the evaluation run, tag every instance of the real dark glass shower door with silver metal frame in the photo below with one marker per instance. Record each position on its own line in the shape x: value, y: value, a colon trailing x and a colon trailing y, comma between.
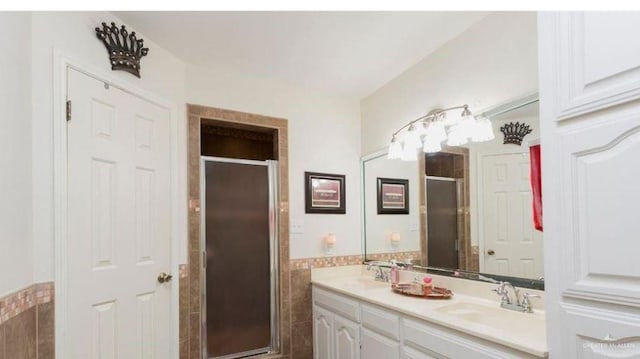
x: 239, y: 235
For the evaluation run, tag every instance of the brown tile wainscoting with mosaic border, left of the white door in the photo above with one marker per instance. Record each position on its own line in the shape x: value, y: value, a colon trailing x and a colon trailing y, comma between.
x: 27, y: 323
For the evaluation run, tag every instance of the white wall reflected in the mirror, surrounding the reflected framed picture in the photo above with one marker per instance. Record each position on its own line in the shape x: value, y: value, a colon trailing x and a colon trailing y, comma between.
x: 378, y: 227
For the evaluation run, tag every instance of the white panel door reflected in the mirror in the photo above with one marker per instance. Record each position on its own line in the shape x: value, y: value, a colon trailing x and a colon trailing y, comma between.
x: 512, y: 246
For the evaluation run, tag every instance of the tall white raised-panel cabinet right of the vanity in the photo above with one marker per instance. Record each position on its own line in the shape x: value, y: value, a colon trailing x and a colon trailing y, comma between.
x: 590, y: 140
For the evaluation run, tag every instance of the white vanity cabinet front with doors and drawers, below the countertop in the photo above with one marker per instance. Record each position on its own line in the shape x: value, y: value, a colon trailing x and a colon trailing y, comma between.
x: 346, y: 327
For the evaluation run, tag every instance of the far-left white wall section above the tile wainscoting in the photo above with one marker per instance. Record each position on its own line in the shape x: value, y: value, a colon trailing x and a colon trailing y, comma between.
x: 15, y: 153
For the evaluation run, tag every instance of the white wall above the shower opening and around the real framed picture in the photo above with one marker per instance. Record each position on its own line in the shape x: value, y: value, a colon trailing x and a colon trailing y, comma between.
x: 324, y: 136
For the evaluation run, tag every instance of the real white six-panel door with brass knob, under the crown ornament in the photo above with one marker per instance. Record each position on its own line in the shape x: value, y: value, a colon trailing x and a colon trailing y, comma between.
x: 118, y: 223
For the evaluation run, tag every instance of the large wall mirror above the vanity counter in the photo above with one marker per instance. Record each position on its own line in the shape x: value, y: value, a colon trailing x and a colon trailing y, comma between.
x: 464, y: 211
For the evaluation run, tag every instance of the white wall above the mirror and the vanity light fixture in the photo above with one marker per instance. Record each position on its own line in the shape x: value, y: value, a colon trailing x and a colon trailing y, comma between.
x: 495, y: 60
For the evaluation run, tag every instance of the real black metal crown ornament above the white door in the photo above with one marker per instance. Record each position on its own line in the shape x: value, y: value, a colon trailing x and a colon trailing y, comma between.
x: 125, y: 50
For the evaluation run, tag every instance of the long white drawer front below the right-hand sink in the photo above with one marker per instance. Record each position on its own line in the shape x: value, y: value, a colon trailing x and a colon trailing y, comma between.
x: 442, y: 342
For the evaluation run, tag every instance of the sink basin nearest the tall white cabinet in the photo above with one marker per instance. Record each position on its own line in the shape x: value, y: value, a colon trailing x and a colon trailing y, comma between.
x: 493, y: 317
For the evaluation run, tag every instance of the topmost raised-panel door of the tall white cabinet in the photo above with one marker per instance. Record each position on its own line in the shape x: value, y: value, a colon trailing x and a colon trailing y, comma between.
x: 596, y: 61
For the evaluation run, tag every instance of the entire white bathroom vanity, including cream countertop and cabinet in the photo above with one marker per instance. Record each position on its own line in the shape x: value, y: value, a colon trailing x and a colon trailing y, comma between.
x: 355, y: 316
